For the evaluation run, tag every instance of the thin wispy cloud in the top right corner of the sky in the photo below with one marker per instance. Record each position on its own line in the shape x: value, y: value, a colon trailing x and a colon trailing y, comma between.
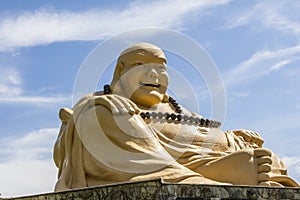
x: 282, y: 16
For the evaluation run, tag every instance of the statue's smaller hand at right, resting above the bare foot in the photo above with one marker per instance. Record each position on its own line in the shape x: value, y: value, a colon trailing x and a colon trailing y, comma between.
x: 250, y: 136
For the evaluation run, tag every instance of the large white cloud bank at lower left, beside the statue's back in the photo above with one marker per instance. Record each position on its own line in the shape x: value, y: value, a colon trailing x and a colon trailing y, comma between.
x: 26, y: 165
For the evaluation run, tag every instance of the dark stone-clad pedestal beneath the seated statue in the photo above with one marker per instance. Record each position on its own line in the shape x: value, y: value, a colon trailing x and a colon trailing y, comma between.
x: 155, y: 189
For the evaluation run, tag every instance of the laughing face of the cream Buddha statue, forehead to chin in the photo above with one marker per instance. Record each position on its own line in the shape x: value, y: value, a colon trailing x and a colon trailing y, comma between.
x: 144, y: 79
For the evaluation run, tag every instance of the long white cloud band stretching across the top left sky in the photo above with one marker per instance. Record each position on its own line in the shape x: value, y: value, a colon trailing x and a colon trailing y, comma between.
x: 45, y: 26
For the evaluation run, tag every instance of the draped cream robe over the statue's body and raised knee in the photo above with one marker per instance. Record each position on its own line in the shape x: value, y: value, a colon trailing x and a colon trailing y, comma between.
x: 95, y: 147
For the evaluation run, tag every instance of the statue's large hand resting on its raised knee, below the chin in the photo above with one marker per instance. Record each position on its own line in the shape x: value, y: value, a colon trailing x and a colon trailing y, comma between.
x: 116, y: 104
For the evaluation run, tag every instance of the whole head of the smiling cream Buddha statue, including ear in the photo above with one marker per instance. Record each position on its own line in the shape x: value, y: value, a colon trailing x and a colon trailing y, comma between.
x: 141, y: 75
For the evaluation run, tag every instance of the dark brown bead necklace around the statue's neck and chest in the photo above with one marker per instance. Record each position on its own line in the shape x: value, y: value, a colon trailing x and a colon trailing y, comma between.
x: 202, y: 122
